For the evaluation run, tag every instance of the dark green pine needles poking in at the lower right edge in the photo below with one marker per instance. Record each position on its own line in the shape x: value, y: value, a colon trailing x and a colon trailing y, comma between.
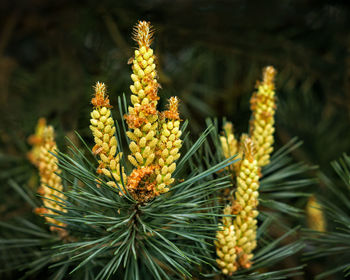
x: 333, y: 244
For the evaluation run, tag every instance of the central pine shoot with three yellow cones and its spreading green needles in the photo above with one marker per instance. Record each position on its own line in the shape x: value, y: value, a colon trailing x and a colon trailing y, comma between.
x: 150, y: 217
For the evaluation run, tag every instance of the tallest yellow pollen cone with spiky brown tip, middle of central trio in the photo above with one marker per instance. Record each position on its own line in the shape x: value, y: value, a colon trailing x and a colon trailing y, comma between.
x: 142, y: 118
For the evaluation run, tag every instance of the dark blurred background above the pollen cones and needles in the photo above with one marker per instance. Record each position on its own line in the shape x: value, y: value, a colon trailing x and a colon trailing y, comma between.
x: 210, y: 54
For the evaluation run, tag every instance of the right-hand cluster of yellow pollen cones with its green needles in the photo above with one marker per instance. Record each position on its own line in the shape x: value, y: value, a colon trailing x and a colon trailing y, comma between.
x: 258, y: 178
